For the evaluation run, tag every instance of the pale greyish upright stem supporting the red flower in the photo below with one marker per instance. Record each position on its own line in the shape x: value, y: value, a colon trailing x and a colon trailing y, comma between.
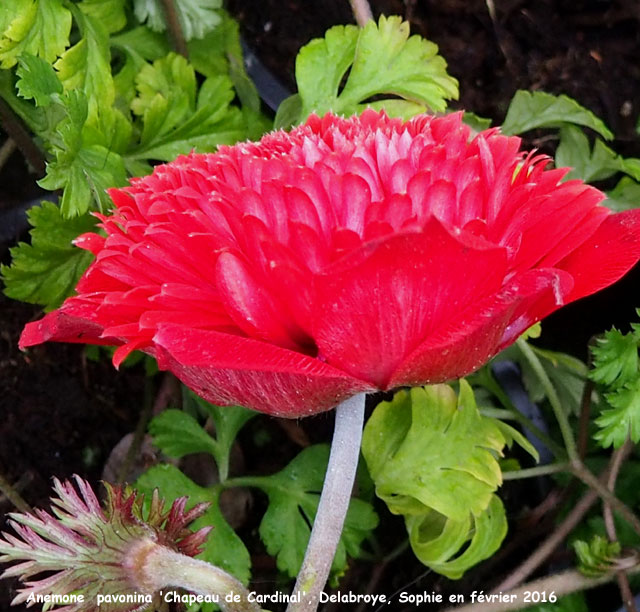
x: 333, y: 506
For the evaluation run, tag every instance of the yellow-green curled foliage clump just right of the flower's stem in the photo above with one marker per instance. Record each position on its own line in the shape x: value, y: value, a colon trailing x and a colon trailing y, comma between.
x: 432, y: 457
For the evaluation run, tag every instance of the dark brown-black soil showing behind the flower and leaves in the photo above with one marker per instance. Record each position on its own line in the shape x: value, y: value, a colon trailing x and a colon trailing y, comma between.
x: 61, y: 413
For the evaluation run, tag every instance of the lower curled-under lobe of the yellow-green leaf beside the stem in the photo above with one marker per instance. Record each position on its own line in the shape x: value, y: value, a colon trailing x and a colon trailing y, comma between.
x: 436, y: 540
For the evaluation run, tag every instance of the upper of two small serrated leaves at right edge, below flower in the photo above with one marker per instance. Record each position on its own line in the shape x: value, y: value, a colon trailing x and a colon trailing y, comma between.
x: 615, y: 359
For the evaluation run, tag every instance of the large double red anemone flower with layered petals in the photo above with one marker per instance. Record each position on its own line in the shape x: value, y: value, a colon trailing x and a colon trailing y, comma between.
x: 344, y: 256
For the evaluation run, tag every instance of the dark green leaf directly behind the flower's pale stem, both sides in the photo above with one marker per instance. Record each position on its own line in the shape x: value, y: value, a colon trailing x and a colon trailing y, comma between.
x: 294, y: 494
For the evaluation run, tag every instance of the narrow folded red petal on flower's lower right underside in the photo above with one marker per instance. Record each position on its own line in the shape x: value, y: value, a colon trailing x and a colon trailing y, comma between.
x: 472, y: 339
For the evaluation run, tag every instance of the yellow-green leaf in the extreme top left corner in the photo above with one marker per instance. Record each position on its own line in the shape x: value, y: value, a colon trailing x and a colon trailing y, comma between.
x: 39, y: 27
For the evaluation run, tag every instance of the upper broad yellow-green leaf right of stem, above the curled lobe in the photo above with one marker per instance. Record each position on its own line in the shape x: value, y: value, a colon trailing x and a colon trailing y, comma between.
x: 428, y: 448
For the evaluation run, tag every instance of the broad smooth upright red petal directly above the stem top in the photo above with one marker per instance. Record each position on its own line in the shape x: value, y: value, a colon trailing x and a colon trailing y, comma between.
x: 373, y: 308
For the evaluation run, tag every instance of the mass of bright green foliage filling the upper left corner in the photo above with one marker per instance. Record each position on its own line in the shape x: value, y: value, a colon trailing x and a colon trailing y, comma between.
x: 106, y: 99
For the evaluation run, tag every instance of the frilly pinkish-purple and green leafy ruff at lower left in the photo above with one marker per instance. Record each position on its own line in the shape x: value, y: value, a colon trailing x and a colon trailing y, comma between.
x: 85, y: 551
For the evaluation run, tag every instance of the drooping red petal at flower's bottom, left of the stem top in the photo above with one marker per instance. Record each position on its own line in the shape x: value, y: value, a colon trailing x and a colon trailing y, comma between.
x: 227, y: 369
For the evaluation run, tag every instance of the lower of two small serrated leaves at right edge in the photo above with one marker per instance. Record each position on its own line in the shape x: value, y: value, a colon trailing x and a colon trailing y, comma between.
x: 622, y: 420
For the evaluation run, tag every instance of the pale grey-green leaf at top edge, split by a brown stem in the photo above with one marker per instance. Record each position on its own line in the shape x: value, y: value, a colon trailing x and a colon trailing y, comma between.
x: 197, y: 17
